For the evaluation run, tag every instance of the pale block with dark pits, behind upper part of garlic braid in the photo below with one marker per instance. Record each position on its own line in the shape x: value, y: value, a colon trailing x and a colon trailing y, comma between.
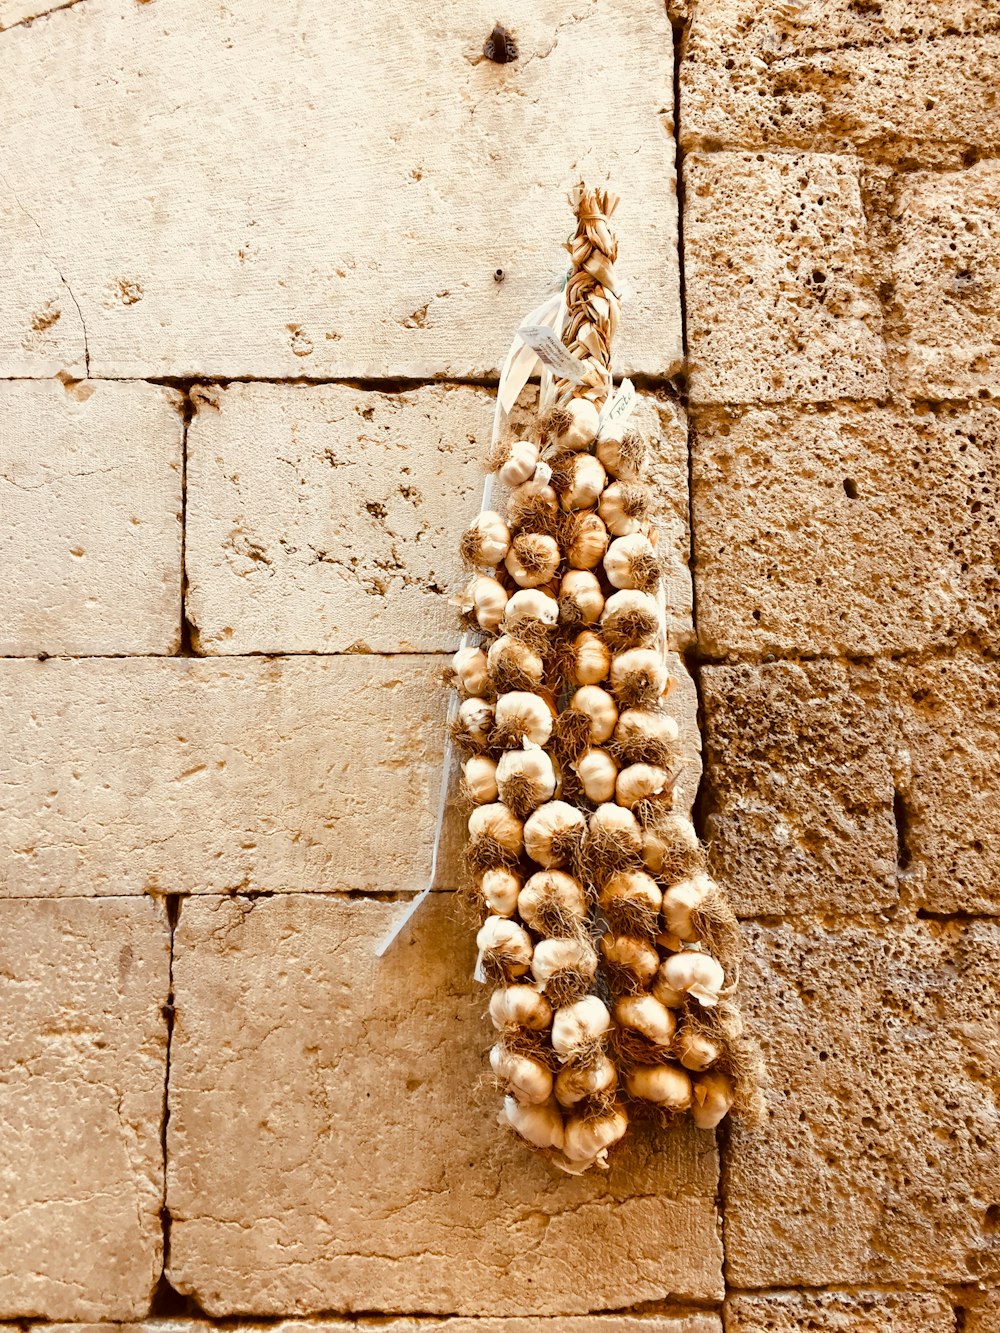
x: 322, y: 518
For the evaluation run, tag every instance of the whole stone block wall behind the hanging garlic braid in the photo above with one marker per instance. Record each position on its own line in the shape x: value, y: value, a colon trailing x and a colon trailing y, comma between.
x: 258, y: 269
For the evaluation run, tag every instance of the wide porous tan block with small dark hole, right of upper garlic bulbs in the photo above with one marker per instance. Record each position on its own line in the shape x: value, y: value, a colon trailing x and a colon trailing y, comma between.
x: 851, y: 530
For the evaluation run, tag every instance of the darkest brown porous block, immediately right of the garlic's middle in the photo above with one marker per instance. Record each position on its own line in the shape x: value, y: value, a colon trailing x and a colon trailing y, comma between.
x: 799, y: 788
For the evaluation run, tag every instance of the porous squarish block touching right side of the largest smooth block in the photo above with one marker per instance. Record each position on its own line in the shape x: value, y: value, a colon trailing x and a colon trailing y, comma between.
x: 781, y: 305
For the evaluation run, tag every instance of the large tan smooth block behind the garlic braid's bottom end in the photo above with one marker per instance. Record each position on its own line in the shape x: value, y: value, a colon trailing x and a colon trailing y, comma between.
x: 334, y: 1144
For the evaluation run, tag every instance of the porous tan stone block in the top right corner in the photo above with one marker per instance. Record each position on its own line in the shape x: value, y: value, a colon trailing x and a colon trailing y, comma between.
x: 905, y: 82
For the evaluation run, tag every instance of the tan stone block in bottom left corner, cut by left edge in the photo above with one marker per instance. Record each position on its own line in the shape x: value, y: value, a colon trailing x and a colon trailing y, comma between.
x: 83, y: 1064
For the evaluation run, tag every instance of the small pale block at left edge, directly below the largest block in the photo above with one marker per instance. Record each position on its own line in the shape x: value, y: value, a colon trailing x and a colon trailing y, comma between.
x: 91, y: 503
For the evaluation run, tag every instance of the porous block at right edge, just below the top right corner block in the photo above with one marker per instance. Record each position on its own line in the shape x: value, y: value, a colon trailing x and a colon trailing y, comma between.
x: 945, y: 339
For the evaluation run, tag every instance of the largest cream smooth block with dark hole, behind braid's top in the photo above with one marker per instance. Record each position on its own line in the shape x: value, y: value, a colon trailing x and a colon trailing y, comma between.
x: 389, y: 203
